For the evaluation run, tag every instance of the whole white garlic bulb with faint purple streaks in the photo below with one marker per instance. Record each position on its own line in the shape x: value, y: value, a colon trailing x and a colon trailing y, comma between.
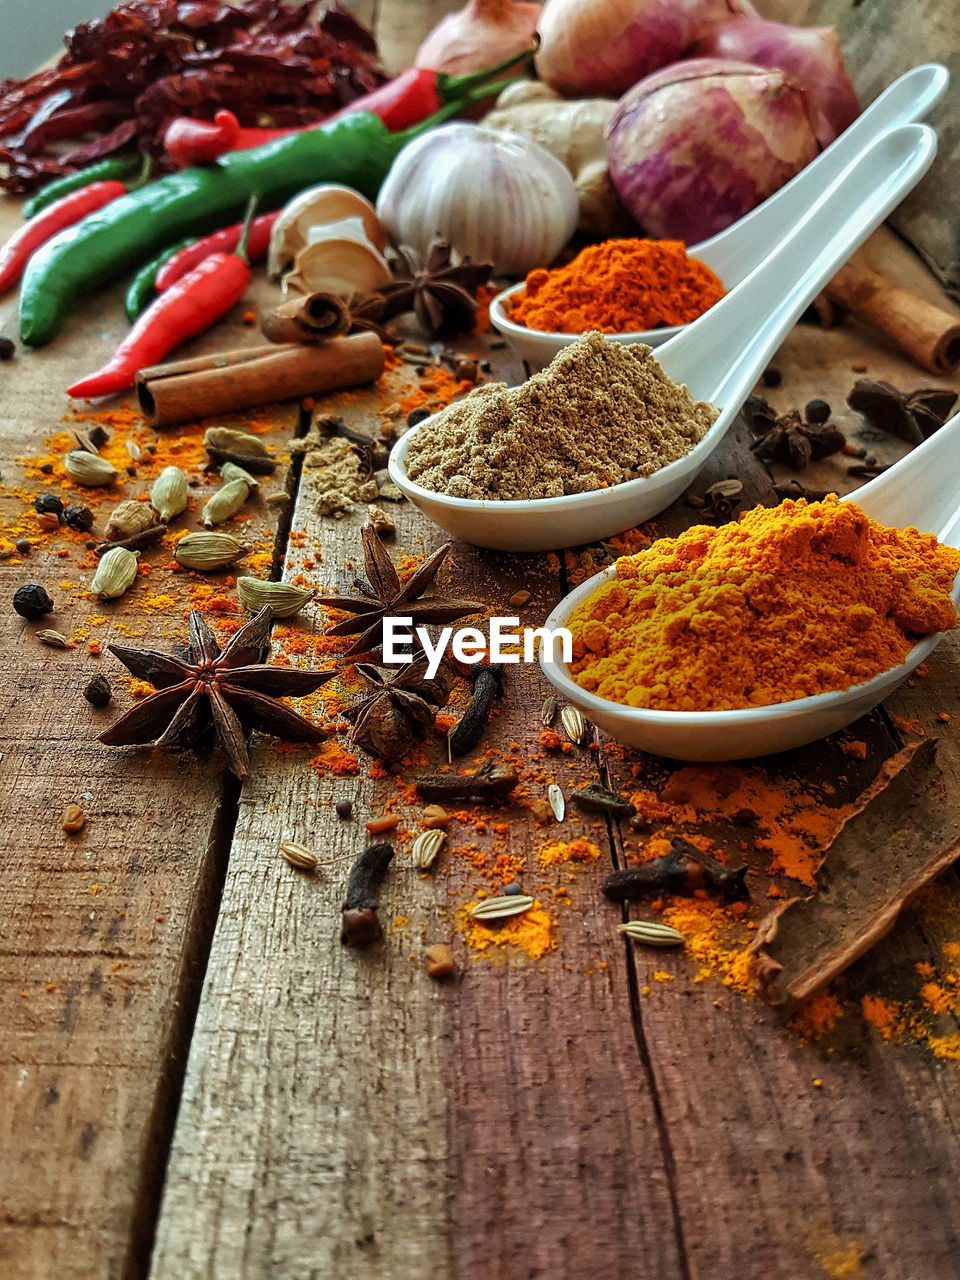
x: 495, y: 196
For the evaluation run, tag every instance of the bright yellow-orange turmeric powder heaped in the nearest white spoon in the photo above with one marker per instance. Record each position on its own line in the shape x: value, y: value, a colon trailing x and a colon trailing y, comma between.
x: 784, y: 604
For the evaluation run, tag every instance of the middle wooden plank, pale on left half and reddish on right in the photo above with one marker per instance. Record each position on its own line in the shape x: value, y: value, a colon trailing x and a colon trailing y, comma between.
x: 345, y: 1113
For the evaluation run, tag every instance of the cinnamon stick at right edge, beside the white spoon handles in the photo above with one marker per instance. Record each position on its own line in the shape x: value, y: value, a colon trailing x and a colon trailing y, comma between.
x: 929, y: 335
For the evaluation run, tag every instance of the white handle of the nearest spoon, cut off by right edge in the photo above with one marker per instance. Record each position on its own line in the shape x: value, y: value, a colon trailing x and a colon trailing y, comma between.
x: 921, y: 490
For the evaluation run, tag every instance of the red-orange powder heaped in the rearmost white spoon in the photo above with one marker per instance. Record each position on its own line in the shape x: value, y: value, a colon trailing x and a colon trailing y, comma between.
x: 621, y: 286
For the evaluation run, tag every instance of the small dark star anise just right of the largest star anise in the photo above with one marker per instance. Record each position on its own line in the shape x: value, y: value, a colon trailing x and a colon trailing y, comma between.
x: 400, y: 712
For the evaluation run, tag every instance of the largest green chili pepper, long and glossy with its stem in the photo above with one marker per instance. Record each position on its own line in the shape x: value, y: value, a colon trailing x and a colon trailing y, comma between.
x: 355, y: 149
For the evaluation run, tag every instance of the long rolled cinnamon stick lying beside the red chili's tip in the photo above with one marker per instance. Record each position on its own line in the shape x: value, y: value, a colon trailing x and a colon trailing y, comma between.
x: 188, y: 391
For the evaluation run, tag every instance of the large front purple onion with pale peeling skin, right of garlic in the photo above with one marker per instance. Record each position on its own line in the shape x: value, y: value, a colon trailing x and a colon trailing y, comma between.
x: 701, y: 144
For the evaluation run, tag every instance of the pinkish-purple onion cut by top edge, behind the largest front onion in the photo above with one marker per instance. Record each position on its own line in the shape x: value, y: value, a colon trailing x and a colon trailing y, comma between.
x: 601, y: 48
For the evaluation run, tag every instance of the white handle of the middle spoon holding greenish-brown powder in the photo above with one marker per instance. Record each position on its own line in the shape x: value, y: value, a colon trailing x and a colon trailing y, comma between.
x: 721, y: 355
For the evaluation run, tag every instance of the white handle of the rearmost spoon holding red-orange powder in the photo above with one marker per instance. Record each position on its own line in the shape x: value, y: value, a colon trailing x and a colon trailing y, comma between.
x: 735, y: 252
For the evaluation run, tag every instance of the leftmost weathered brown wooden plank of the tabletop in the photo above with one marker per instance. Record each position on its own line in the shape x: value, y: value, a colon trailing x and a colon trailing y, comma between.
x: 103, y: 936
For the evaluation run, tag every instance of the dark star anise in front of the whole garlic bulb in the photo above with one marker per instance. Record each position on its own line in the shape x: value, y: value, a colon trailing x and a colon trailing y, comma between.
x: 442, y: 295
